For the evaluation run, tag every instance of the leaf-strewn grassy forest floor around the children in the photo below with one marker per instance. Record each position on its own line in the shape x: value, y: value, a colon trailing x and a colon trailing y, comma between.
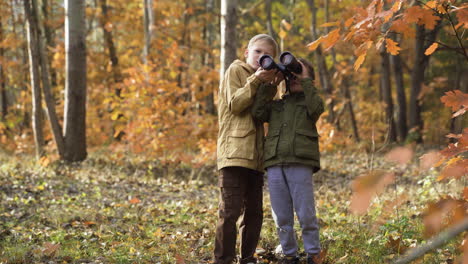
x: 124, y: 211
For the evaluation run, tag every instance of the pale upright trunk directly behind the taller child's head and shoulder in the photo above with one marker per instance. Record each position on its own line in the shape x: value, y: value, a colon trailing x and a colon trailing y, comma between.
x: 228, y: 34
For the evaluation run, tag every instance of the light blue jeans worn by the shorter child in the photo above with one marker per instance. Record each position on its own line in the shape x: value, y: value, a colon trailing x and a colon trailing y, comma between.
x: 291, y: 189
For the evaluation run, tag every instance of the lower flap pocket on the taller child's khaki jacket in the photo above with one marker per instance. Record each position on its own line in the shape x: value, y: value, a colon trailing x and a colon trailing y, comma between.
x: 241, y: 144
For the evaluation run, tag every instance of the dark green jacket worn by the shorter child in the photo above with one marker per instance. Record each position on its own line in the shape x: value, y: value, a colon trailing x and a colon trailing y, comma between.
x: 292, y: 135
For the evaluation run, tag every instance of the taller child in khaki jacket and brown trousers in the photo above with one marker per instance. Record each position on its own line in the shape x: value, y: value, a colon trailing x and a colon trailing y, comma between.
x: 240, y: 154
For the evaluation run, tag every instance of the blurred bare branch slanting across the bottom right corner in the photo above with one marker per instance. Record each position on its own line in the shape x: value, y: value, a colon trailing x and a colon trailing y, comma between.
x: 434, y: 243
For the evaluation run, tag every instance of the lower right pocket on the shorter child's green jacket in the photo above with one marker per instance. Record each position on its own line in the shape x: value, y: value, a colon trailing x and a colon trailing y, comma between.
x: 306, y: 144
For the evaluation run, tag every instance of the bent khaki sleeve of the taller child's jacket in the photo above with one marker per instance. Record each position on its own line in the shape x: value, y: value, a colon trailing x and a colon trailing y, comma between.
x: 240, y: 95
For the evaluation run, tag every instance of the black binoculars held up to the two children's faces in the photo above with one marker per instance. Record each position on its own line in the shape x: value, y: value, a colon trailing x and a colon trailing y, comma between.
x: 288, y: 64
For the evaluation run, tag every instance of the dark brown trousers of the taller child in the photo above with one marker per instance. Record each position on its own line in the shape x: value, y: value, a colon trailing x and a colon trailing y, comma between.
x: 241, y: 196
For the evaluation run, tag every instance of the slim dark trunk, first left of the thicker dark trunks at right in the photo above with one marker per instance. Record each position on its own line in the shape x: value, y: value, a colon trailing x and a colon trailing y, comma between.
x: 387, y: 94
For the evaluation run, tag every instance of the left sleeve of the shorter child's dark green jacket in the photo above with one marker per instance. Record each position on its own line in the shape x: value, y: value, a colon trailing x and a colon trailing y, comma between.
x: 261, y: 108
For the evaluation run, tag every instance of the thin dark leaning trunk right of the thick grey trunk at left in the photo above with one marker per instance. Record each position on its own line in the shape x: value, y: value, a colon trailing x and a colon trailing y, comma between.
x: 109, y: 42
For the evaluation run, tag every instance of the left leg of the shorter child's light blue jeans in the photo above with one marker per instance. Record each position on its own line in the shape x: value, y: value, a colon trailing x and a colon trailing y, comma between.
x: 283, y: 213
